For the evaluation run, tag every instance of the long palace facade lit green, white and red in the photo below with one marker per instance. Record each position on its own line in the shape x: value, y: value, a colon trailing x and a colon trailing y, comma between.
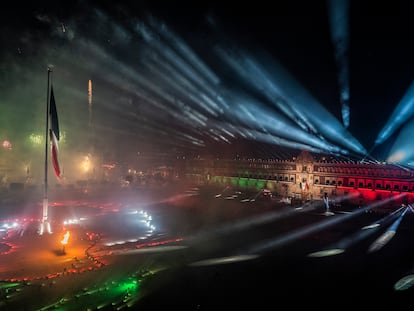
x: 305, y: 178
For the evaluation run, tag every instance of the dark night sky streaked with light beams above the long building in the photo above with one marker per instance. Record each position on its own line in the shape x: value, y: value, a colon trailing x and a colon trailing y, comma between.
x: 206, y: 77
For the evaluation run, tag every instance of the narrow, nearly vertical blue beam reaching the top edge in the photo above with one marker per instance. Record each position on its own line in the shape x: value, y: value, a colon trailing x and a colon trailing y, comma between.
x: 338, y: 18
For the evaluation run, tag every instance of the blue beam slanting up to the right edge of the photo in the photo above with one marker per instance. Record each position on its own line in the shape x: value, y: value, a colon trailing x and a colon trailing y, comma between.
x: 401, y: 114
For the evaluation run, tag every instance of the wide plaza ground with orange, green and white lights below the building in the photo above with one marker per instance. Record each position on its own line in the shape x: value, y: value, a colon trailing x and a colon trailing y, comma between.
x: 260, y: 250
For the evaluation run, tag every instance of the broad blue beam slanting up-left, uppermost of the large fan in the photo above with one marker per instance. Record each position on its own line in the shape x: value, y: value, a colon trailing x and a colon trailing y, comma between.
x: 274, y: 81
